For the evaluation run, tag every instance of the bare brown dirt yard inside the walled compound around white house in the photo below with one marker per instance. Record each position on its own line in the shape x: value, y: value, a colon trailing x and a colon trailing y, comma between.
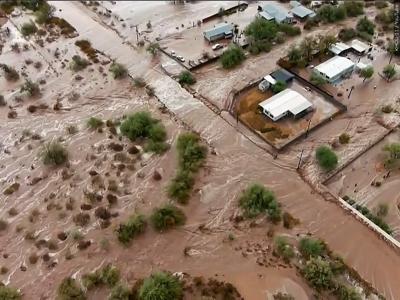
x: 283, y: 131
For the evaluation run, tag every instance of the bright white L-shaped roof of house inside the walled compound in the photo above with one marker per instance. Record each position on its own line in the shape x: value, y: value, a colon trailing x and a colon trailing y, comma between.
x: 287, y: 100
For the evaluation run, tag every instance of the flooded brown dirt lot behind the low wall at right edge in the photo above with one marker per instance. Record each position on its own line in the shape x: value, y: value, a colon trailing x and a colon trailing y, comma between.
x: 357, y: 181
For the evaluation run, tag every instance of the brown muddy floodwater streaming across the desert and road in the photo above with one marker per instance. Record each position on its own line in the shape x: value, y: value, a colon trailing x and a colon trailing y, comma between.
x: 43, y: 207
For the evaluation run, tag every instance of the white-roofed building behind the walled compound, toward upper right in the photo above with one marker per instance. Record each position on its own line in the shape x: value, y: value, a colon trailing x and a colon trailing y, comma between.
x: 335, y: 68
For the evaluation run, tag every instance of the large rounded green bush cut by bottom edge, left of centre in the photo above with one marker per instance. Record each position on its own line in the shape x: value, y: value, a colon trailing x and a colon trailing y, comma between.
x: 161, y: 286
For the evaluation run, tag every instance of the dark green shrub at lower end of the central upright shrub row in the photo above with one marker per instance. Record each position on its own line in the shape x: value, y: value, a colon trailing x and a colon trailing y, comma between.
x: 180, y: 186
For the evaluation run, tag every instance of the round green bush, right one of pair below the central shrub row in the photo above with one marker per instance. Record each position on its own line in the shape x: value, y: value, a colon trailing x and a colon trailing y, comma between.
x: 167, y: 217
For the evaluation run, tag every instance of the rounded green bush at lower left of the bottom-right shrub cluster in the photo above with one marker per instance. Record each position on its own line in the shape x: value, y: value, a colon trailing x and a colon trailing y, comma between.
x: 318, y: 273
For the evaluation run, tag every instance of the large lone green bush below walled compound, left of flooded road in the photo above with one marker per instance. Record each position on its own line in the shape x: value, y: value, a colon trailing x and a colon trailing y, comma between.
x: 256, y: 199
